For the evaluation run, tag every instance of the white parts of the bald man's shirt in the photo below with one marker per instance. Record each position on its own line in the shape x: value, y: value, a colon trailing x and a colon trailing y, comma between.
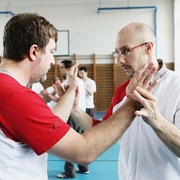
x: 143, y: 156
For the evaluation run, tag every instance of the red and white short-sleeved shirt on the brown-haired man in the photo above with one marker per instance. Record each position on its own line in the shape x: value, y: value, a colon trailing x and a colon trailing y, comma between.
x: 28, y: 129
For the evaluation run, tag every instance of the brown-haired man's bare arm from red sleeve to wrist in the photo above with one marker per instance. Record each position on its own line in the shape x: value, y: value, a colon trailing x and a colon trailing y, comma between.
x: 85, y: 148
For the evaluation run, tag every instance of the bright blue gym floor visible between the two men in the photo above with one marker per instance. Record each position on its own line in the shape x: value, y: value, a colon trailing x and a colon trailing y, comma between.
x: 104, y: 167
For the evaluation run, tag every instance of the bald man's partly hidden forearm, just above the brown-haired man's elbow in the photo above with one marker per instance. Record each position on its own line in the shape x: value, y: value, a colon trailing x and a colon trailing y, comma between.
x: 82, y: 119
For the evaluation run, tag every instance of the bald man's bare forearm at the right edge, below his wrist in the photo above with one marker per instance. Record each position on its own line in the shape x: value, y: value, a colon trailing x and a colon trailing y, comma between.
x: 169, y: 134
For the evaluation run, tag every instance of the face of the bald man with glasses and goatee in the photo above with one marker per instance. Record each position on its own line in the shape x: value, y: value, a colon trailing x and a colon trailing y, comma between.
x: 131, y: 51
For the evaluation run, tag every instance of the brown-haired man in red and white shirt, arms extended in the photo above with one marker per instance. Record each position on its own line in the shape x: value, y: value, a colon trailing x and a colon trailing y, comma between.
x: 28, y: 128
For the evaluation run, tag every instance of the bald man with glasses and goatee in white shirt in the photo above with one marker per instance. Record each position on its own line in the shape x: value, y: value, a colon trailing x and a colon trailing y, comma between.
x: 150, y: 147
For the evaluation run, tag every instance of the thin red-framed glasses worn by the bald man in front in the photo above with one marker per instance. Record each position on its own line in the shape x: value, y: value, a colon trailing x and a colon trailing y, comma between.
x: 126, y: 51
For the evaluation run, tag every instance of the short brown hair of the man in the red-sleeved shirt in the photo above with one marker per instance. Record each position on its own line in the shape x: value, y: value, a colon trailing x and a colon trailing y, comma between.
x: 24, y: 30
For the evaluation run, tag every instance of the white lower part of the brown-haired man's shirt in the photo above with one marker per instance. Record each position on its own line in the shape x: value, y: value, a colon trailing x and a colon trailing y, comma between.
x: 21, y: 160
